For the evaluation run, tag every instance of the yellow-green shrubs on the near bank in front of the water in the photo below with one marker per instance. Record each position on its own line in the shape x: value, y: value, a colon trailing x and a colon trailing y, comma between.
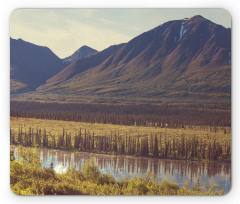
x: 28, y: 178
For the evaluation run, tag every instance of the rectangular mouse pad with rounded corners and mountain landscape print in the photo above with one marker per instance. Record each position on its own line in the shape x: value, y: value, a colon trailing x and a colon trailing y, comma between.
x: 120, y: 101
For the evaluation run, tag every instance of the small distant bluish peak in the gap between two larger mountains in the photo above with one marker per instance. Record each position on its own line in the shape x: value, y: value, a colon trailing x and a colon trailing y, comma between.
x: 81, y: 53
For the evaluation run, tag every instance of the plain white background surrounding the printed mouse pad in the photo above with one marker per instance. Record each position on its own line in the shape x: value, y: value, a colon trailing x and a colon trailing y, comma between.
x: 7, y: 6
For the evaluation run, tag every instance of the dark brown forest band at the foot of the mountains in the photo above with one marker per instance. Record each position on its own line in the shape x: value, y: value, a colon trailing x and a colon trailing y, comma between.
x: 174, y: 116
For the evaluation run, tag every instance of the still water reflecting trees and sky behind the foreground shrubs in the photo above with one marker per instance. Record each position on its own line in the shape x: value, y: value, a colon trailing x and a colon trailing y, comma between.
x: 128, y: 166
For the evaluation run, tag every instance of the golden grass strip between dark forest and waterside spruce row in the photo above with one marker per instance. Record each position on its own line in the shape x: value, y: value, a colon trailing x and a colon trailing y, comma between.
x: 55, y: 127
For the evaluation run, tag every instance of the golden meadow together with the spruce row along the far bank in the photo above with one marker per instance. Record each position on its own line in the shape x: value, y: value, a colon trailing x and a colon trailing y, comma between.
x: 195, y: 143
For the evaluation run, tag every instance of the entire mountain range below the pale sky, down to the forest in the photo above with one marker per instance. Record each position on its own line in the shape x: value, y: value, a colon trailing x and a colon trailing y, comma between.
x: 180, y: 61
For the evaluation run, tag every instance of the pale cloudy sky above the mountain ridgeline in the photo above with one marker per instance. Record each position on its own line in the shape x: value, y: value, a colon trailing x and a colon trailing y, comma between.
x: 66, y: 30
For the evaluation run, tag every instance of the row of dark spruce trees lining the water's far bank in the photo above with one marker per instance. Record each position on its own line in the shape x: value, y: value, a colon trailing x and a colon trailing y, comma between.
x: 155, y: 145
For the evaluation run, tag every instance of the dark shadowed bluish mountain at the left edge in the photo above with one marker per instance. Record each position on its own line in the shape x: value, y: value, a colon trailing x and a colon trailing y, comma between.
x: 31, y: 65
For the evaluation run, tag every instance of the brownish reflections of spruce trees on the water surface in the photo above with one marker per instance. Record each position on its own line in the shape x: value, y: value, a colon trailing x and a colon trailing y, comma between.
x: 137, y: 165
